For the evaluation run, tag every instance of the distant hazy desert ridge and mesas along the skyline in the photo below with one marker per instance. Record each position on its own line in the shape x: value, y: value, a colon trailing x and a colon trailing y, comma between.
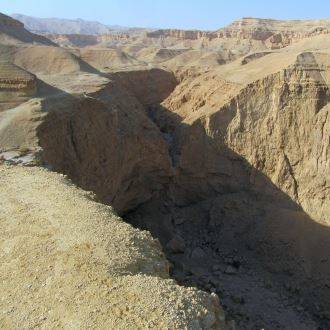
x: 262, y: 33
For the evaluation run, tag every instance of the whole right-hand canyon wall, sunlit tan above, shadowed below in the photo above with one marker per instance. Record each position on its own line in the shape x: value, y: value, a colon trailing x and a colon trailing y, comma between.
x: 264, y: 135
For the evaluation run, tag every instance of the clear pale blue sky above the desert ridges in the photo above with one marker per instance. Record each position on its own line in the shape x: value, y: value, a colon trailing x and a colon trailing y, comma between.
x: 185, y: 14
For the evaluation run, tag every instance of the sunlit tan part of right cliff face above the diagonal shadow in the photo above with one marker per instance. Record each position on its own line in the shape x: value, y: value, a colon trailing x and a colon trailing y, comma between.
x: 272, y: 113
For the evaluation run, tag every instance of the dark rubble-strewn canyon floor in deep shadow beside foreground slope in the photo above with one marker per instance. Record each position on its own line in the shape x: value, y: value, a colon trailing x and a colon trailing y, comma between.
x: 217, y: 258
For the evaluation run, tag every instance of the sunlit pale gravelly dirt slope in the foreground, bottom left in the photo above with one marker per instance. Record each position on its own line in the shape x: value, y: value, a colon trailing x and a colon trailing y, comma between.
x: 69, y: 262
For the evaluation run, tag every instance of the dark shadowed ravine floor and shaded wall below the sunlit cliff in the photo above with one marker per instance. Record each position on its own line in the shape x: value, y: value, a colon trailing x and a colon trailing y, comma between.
x: 245, y: 240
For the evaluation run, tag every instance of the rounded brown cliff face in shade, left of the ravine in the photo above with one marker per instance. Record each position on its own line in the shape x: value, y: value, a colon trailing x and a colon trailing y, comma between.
x: 113, y: 150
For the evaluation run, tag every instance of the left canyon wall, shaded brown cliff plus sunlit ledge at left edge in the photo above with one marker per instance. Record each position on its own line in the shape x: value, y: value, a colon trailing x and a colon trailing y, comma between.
x: 106, y: 135
